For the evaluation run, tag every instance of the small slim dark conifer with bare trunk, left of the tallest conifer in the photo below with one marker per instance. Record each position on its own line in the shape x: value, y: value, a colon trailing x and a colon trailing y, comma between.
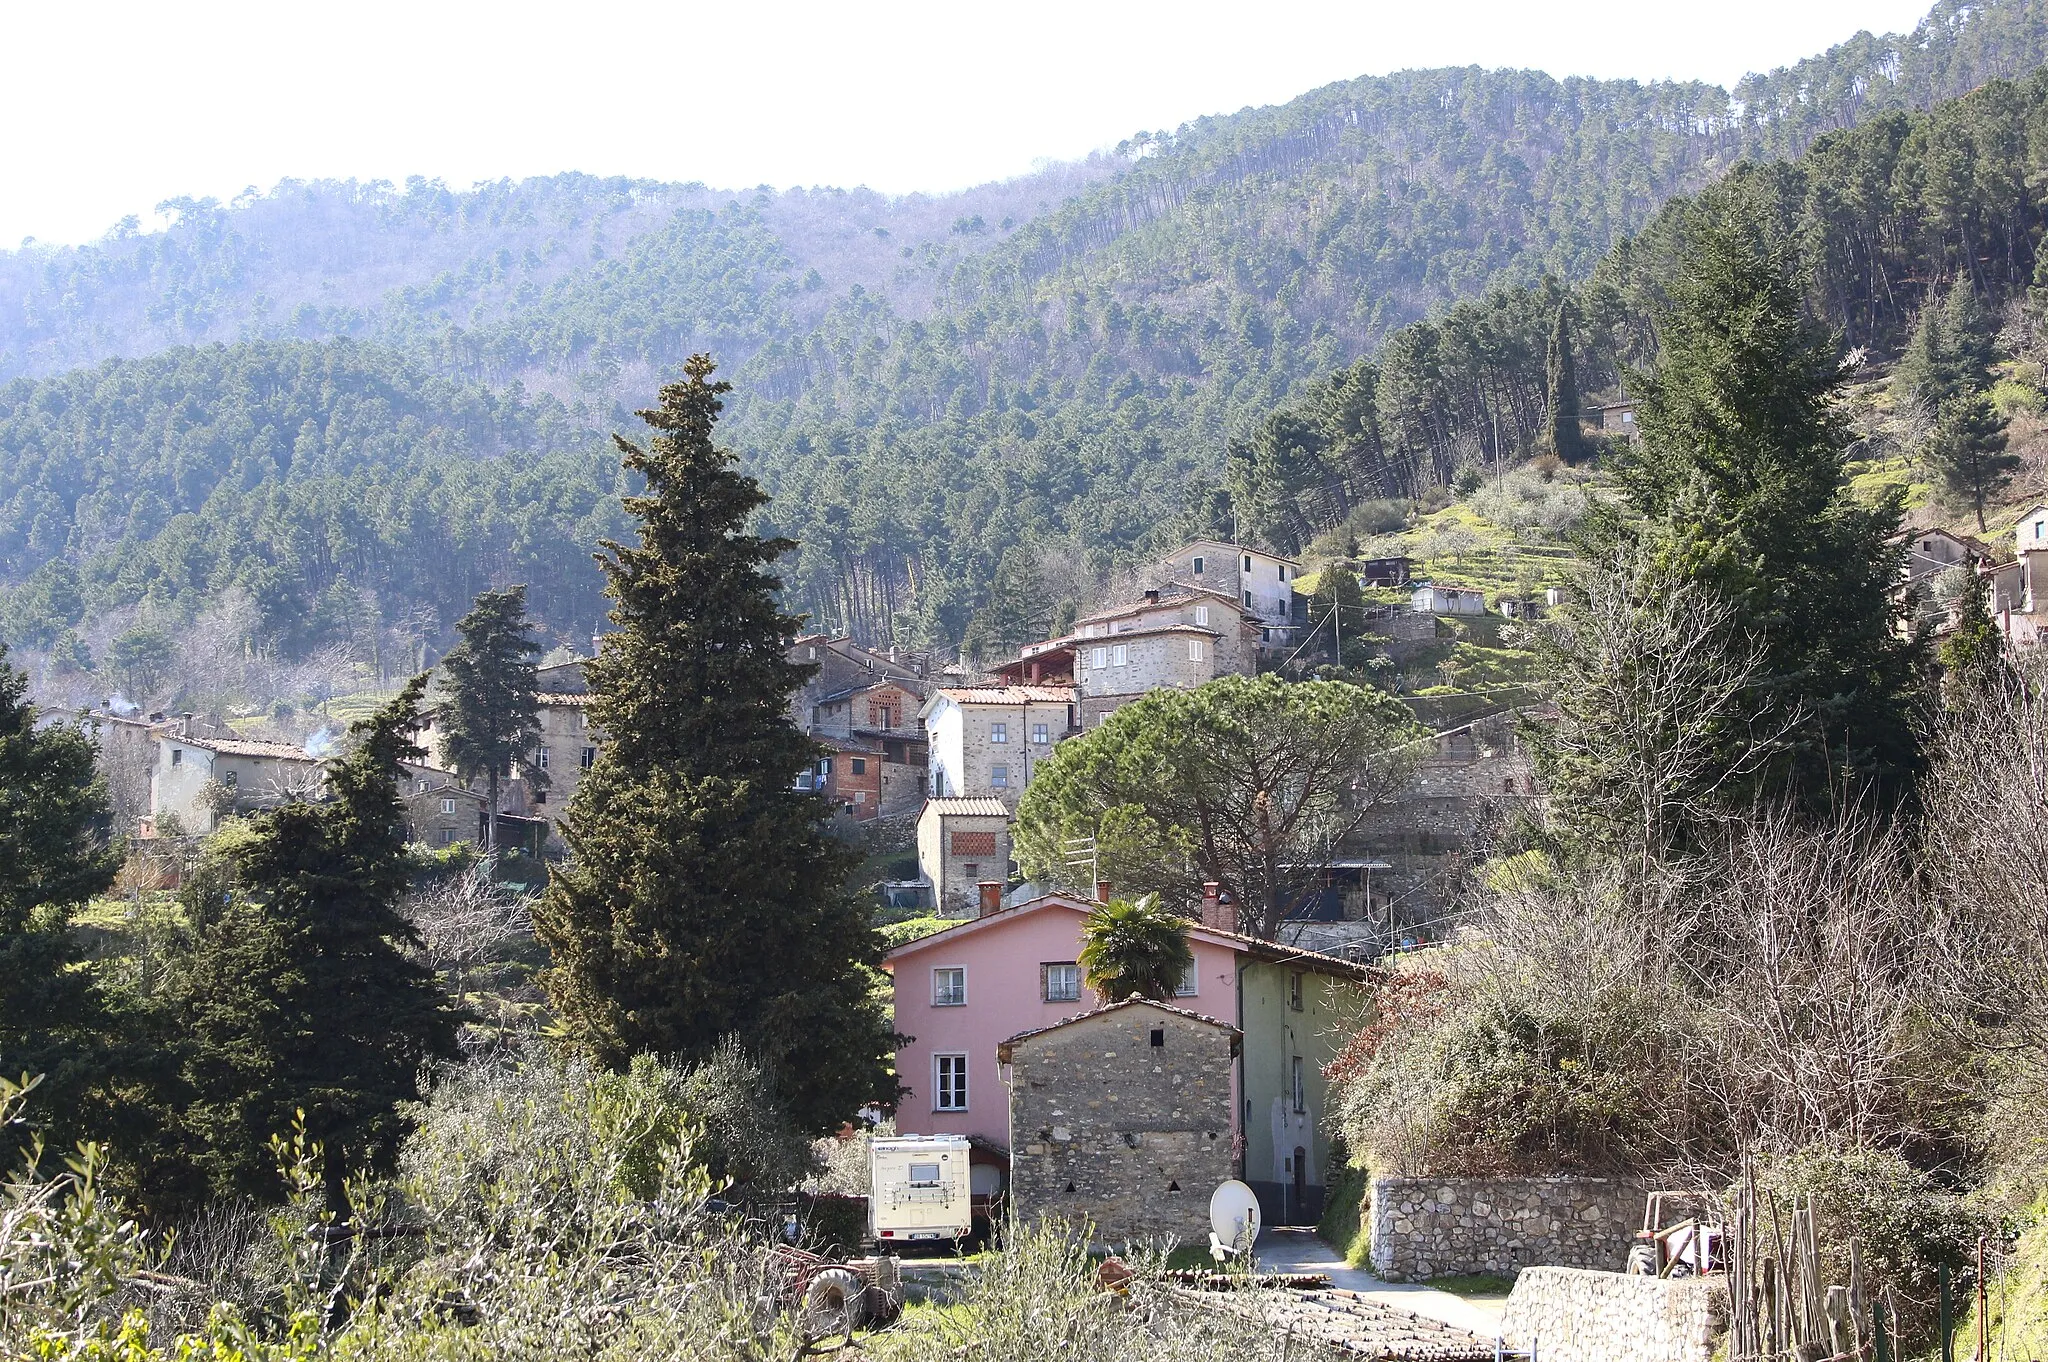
x: 490, y: 716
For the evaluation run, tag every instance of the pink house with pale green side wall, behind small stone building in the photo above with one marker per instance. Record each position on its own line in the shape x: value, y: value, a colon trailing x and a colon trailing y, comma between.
x: 959, y: 994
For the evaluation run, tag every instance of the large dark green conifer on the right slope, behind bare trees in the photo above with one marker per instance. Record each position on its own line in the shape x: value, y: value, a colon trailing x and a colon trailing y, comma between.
x: 1744, y: 480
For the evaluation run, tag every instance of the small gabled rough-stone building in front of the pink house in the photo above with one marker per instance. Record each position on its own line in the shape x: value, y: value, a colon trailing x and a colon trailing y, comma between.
x: 1121, y: 1119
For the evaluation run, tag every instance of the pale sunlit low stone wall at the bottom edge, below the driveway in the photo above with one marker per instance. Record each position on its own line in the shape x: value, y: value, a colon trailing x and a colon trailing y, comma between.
x: 1578, y: 1316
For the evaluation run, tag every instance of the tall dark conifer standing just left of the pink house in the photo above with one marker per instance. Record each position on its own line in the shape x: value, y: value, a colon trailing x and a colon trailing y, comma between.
x: 706, y: 898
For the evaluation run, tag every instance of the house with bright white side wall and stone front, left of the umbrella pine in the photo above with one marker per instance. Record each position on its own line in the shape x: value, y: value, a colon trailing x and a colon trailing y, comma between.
x: 986, y: 740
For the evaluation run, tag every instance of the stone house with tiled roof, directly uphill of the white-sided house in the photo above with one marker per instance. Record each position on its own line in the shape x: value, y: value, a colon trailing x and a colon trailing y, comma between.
x: 1170, y: 638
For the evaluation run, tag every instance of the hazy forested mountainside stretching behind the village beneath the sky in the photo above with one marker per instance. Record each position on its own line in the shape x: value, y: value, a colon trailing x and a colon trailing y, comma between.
x: 1056, y: 366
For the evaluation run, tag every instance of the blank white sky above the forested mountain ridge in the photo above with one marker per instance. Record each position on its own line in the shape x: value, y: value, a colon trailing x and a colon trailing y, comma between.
x: 114, y: 108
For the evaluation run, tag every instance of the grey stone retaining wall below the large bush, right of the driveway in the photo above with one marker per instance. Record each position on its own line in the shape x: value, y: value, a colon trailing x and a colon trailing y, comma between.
x: 1426, y: 1228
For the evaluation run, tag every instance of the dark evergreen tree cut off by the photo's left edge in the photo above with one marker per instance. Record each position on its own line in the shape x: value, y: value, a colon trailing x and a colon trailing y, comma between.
x: 54, y: 857
